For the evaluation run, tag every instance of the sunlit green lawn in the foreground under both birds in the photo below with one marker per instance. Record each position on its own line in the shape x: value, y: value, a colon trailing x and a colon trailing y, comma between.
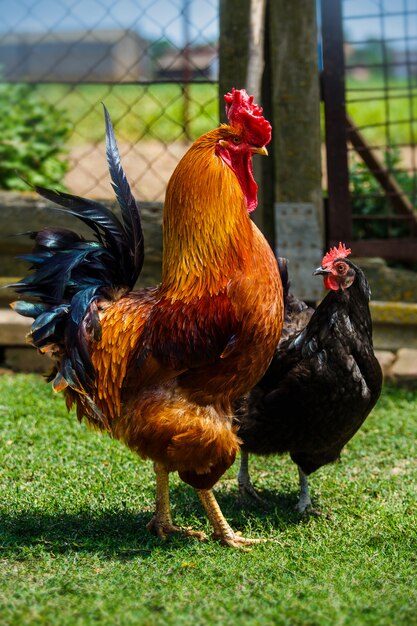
x: 75, y: 551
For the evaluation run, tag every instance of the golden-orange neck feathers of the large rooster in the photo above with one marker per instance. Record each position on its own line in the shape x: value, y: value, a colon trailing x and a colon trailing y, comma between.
x: 207, y: 229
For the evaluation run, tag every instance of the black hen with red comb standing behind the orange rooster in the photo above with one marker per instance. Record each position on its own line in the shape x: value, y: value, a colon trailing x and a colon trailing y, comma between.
x: 323, y: 381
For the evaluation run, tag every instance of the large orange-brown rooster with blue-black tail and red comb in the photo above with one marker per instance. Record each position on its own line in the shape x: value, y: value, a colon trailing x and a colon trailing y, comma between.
x: 158, y: 368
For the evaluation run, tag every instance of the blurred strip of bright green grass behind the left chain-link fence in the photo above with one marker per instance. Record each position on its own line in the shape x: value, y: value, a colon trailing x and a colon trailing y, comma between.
x: 138, y: 111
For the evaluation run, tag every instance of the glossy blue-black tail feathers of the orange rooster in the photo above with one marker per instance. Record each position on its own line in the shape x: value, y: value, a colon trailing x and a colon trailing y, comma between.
x: 69, y: 274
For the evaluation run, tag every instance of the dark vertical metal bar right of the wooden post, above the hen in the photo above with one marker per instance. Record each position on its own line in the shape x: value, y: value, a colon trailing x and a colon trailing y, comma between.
x: 339, y: 215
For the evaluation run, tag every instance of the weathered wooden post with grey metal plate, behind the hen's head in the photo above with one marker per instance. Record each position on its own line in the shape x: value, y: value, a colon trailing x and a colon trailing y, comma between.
x: 296, y: 141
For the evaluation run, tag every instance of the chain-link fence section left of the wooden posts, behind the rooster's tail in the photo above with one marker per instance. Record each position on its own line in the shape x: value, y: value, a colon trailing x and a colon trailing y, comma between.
x: 153, y: 63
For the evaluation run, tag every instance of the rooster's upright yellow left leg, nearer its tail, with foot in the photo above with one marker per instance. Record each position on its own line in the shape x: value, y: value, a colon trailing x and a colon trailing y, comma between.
x: 161, y: 523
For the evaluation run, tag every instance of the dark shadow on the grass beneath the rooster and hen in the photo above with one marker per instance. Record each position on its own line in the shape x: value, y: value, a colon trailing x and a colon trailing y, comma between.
x: 122, y: 533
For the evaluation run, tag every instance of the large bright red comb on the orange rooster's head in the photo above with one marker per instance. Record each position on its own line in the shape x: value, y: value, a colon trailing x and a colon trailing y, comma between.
x: 241, y: 111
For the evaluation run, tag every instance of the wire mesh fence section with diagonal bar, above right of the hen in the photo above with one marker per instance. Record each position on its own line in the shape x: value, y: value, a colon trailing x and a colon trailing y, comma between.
x: 380, y: 50
